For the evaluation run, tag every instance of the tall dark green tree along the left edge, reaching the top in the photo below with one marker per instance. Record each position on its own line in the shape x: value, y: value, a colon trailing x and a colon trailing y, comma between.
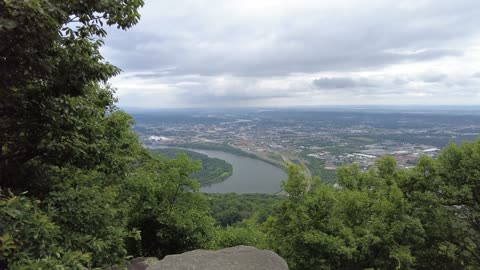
x: 61, y: 138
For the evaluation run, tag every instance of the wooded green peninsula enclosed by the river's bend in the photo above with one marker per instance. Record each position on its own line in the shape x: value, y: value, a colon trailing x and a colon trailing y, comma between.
x: 213, y: 170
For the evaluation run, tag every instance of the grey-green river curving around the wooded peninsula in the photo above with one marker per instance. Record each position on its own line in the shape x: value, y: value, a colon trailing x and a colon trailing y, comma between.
x: 249, y: 175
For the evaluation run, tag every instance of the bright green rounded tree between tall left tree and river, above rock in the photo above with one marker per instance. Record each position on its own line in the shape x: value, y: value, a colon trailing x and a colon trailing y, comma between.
x: 167, y: 208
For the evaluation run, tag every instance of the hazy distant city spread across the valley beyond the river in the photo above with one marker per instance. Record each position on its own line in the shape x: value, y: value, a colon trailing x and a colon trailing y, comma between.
x: 321, y: 140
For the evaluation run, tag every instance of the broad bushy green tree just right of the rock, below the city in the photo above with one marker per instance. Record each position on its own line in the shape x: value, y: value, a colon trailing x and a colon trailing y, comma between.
x: 365, y: 223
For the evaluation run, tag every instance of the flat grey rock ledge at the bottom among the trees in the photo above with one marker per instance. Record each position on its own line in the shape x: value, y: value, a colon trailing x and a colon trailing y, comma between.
x: 235, y: 258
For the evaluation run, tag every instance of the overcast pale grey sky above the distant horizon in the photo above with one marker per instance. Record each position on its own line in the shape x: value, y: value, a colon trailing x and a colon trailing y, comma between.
x: 281, y: 53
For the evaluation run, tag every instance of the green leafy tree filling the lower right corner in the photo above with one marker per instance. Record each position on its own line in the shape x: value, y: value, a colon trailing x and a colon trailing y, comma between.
x: 444, y: 194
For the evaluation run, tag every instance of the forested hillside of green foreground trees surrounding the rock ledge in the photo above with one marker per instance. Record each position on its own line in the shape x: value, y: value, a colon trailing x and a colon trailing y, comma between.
x: 78, y: 191
